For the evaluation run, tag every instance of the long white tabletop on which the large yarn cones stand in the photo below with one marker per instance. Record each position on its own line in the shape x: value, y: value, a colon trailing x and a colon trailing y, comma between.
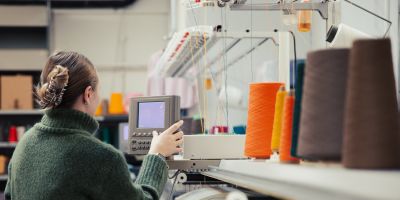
x: 308, y: 182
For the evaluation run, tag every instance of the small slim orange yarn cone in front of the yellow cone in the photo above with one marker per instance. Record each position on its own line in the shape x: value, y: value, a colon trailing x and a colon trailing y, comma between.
x: 287, y: 125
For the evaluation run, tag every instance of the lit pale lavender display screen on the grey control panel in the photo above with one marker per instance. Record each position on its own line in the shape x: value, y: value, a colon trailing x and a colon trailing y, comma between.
x: 151, y: 115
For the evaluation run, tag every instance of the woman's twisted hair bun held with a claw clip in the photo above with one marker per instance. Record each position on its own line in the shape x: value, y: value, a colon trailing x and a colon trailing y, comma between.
x: 50, y: 93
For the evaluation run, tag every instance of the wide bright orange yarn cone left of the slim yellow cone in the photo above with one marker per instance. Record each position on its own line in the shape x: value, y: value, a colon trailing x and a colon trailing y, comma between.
x: 260, y: 119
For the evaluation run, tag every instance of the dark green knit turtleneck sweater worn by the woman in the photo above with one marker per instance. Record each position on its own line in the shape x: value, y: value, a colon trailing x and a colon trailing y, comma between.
x: 59, y: 158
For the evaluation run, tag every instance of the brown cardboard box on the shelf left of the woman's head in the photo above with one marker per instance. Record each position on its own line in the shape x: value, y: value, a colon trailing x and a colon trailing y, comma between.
x: 16, y: 92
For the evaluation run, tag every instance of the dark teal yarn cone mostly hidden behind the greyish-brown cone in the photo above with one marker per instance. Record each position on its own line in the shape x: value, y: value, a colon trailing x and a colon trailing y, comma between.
x: 298, y: 92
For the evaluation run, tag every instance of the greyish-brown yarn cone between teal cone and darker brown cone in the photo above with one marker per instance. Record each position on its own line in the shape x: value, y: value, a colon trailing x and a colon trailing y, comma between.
x: 324, y: 90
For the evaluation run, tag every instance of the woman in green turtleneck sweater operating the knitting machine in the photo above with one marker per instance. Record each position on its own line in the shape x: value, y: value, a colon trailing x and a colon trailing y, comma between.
x: 59, y: 158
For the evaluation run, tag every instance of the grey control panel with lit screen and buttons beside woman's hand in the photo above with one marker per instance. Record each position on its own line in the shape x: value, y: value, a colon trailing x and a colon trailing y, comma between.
x: 148, y: 114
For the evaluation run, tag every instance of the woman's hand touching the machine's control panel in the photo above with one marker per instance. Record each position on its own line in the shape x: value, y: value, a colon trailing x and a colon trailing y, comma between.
x: 168, y: 142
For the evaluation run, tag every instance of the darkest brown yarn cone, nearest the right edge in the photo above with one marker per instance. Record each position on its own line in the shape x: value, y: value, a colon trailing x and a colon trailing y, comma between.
x: 371, y: 135
